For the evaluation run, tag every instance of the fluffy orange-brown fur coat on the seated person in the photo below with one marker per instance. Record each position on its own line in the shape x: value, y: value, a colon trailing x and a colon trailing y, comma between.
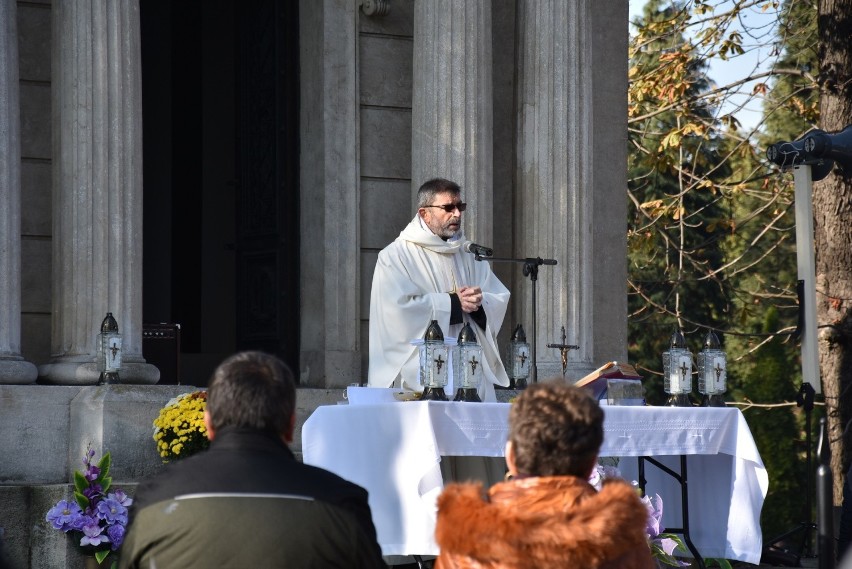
x: 543, y: 522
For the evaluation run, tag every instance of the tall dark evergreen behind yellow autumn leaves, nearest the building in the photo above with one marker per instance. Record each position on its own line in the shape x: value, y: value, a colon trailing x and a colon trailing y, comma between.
x: 674, y: 232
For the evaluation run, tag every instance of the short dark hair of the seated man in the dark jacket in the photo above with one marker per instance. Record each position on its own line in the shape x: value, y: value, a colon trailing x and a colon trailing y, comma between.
x: 252, y: 389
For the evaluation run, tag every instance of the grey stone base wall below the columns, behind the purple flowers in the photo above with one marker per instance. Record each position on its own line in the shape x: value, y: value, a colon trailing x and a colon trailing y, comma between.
x: 46, y: 430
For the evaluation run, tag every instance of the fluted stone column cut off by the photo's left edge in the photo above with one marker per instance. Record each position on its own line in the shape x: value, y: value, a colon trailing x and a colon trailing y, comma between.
x: 13, y: 368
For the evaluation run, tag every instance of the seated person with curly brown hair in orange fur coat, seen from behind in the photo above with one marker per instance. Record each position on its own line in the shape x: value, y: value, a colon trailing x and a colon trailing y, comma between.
x: 546, y: 514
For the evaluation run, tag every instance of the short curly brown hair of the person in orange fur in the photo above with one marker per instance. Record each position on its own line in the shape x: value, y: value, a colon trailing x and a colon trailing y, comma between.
x: 556, y: 430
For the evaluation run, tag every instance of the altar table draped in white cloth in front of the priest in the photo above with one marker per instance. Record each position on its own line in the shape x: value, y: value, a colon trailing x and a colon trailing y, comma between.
x: 394, y: 451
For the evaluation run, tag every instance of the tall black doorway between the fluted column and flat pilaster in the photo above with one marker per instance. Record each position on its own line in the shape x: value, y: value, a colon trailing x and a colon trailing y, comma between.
x: 221, y: 200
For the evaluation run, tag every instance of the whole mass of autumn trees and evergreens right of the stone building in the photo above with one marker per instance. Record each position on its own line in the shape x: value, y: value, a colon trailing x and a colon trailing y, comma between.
x: 711, y: 229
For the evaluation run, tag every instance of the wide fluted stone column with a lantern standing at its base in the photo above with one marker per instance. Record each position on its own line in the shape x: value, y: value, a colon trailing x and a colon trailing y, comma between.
x: 97, y: 188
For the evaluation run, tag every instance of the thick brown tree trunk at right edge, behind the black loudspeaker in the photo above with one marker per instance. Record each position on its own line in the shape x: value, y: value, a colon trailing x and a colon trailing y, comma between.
x: 832, y: 200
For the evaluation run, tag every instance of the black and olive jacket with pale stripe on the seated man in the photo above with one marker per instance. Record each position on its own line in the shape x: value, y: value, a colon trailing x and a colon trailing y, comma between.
x: 247, y: 502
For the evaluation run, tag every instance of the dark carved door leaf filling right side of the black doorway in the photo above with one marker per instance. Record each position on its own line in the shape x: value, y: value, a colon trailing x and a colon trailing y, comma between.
x: 267, y: 209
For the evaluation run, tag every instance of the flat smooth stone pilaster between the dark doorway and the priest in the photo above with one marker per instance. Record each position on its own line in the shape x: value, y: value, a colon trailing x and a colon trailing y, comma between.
x: 330, y: 353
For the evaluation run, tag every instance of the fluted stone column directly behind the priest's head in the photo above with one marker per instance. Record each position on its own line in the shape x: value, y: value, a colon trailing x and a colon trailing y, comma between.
x: 452, y: 105
